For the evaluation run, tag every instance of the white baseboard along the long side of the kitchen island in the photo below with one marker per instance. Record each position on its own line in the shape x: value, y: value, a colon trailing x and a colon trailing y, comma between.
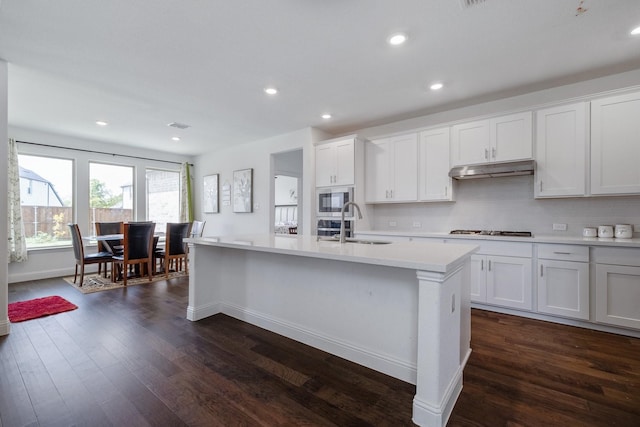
x: 394, y: 367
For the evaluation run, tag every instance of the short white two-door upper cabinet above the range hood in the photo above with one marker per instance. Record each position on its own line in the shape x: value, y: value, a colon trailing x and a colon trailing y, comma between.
x: 499, y: 139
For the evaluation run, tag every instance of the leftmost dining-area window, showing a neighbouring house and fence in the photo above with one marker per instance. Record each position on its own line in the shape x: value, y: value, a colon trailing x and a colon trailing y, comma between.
x: 46, y: 194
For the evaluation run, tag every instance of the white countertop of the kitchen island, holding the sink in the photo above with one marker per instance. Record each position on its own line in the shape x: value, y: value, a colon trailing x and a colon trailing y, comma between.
x: 427, y: 256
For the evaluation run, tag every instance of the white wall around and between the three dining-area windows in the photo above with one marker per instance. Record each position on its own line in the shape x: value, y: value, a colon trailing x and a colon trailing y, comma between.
x: 44, y: 263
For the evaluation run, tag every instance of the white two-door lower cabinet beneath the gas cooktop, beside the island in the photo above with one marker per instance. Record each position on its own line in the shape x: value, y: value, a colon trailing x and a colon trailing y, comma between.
x: 502, y: 280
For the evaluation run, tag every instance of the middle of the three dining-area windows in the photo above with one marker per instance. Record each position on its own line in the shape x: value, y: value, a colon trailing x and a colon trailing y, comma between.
x: 111, y: 193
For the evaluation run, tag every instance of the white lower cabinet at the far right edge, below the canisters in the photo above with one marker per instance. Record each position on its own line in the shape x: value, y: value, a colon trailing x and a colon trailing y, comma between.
x: 617, y: 287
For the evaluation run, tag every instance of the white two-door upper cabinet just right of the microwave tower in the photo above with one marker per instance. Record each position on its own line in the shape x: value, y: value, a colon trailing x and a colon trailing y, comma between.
x: 391, y: 169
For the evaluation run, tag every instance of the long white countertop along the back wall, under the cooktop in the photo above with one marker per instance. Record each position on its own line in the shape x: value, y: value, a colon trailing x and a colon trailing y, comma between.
x: 587, y: 241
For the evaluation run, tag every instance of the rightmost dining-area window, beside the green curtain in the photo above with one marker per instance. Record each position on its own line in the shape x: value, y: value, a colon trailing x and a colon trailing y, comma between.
x: 163, y: 197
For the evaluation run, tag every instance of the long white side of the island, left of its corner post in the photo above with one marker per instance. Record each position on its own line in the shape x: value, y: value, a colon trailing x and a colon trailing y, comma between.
x: 362, y: 312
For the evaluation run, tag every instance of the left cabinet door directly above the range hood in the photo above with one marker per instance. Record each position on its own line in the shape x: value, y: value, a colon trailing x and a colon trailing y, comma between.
x: 470, y: 143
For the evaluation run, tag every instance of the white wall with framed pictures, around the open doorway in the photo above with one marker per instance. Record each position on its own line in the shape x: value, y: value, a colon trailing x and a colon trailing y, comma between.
x: 256, y: 155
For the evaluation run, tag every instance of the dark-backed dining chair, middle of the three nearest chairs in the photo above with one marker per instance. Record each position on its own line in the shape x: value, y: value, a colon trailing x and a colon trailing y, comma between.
x: 138, y: 250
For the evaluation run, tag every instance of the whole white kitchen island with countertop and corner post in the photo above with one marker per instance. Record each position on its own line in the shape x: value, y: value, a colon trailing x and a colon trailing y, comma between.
x: 400, y: 308
